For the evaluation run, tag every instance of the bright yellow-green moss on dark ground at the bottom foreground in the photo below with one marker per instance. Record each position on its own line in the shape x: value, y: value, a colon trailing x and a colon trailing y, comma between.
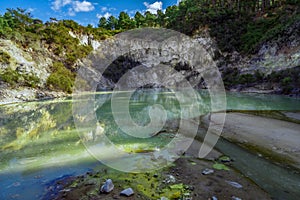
x: 145, y: 185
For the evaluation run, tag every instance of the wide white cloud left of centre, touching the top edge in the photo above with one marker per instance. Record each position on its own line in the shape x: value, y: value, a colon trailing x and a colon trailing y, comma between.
x: 74, y: 6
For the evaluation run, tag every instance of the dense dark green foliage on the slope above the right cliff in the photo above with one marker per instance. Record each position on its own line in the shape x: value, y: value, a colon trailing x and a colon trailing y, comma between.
x: 236, y: 25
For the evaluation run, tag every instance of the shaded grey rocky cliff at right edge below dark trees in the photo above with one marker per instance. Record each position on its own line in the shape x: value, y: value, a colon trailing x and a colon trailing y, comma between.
x: 274, y: 68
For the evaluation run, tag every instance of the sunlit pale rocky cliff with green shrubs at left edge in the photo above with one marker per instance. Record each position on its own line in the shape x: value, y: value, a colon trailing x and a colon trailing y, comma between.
x: 22, y: 64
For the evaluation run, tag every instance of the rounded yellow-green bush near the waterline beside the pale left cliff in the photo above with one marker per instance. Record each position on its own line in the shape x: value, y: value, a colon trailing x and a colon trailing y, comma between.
x: 61, y: 79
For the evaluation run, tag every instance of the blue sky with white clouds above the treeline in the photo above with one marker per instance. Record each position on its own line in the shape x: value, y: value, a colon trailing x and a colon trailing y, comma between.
x: 84, y: 11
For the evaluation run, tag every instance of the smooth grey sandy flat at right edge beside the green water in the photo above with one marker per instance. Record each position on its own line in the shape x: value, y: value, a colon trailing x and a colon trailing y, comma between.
x: 276, y: 139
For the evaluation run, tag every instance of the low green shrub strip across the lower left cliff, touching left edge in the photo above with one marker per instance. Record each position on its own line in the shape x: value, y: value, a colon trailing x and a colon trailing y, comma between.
x: 14, y: 78
